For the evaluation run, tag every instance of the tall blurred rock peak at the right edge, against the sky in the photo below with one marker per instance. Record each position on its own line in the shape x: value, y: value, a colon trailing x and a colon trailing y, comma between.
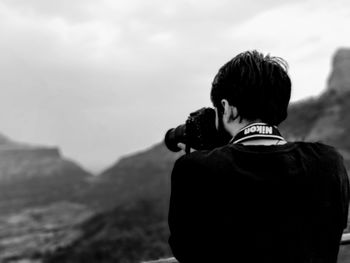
x: 339, y: 80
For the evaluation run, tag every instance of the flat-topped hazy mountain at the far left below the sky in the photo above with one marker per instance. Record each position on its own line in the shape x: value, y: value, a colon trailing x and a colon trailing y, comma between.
x: 35, y: 176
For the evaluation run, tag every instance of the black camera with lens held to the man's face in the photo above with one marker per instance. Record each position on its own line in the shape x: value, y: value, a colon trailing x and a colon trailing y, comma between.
x: 199, y: 132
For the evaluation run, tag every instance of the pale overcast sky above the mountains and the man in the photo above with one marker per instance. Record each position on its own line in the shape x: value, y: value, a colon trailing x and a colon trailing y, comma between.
x: 101, y: 79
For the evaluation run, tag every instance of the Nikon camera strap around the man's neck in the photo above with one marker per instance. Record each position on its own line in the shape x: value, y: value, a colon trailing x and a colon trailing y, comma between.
x: 257, y: 131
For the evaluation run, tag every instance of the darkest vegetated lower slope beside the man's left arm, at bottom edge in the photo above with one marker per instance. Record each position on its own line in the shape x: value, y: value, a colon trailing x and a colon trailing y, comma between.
x: 127, y: 234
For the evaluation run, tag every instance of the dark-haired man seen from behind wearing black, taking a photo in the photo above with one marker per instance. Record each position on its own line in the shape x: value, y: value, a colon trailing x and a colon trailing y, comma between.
x: 258, y: 198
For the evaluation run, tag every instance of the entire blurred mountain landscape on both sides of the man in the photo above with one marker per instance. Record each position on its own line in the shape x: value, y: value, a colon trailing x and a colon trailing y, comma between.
x: 52, y: 210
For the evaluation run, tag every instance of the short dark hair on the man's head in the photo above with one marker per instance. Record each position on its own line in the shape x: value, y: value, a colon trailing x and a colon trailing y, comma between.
x: 257, y: 85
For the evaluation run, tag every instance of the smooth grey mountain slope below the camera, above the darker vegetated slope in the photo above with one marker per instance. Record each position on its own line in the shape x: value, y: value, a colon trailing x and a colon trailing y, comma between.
x: 141, y: 176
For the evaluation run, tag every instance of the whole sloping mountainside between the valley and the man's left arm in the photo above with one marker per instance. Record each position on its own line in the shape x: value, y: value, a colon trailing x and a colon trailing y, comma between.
x: 132, y: 224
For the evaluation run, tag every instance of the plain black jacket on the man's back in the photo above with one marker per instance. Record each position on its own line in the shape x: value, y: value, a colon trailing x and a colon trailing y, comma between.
x: 281, y: 203
